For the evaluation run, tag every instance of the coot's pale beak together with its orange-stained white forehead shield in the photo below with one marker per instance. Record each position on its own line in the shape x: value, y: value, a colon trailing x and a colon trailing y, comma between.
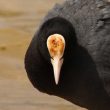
x: 56, y: 47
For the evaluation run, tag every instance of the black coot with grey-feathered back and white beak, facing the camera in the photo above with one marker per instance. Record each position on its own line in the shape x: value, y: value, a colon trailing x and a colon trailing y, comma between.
x: 72, y: 46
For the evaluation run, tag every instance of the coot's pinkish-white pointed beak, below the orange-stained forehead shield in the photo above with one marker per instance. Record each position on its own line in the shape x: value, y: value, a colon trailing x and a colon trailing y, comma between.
x: 57, y: 64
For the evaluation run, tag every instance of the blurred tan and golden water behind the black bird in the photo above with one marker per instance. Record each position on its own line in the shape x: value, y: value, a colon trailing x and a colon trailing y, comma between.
x: 19, y: 20
